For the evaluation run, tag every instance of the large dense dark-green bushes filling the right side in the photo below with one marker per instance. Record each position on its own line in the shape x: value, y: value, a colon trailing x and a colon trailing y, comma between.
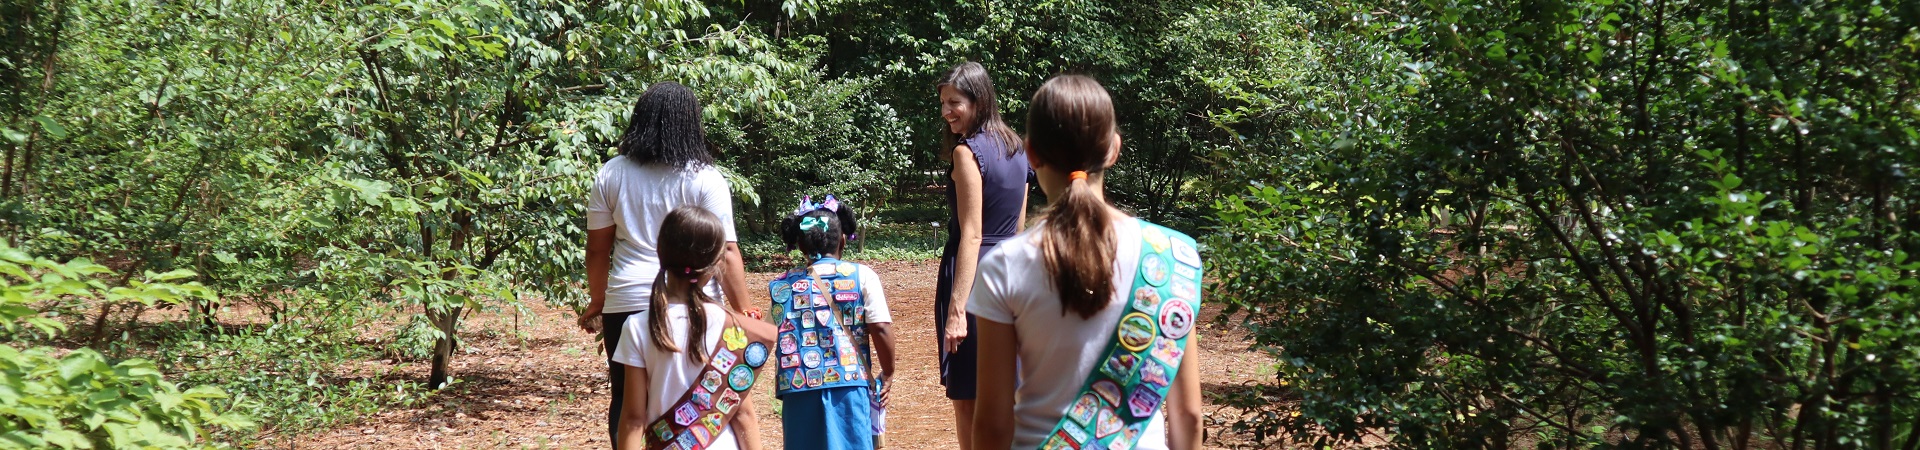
x: 1593, y: 224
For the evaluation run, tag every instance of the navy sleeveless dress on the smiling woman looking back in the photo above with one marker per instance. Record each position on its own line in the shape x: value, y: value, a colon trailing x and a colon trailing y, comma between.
x: 1003, y: 193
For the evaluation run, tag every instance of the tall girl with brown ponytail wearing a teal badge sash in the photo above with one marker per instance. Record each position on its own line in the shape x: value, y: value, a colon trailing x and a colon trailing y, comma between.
x: 1095, y: 305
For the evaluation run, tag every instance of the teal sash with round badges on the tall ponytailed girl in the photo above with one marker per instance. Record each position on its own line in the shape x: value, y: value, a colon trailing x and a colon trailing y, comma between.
x: 1145, y: 355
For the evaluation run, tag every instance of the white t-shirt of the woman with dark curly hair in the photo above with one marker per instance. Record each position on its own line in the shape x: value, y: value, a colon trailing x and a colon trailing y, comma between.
x: 638, y: 199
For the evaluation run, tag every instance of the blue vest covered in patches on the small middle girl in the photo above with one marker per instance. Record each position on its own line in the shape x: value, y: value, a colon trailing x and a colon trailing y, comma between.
x: 823, y: 326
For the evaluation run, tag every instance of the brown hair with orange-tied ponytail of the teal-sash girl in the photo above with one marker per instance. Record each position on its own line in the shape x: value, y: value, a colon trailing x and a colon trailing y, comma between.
x: 1072, y: 128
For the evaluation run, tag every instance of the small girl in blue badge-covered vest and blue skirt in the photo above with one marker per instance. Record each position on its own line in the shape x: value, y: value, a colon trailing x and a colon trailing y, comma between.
x: 830, y: 312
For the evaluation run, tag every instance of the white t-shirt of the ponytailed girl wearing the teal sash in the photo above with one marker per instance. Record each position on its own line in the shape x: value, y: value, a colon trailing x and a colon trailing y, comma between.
x: 1057, y: 351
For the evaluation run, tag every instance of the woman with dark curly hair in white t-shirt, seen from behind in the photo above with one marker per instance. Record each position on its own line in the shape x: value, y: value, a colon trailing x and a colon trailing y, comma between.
x: 663, y: 164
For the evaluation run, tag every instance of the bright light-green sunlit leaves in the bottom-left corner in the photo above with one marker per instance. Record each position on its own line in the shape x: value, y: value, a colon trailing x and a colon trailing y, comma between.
x: 82, y: 399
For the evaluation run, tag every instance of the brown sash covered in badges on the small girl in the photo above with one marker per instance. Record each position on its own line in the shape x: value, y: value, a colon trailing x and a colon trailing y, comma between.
x: 698, y: 418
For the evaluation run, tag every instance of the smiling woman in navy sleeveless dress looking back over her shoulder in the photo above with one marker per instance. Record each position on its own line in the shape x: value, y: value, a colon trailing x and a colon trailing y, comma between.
x: 988, y: 199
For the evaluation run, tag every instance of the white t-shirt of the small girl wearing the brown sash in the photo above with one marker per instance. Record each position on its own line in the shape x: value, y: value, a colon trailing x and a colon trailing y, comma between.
x: 671, y: 374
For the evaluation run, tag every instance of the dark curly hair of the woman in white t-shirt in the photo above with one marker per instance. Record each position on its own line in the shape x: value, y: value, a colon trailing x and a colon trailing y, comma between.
x: 667, y: 128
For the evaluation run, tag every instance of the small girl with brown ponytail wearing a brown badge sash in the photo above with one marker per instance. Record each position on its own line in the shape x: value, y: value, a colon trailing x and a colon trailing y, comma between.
x: 690, y: 361
